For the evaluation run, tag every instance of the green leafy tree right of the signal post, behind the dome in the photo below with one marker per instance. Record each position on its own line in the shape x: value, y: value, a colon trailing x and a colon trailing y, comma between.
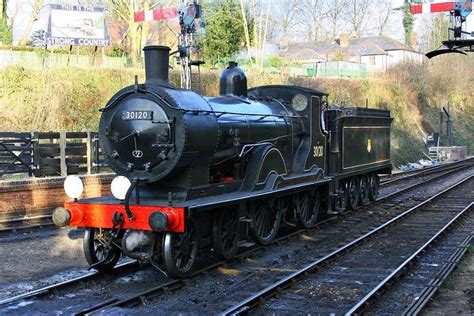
x: 224, y: 31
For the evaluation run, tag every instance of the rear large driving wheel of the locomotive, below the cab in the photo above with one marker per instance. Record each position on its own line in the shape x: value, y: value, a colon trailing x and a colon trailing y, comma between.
x: 307, y: 207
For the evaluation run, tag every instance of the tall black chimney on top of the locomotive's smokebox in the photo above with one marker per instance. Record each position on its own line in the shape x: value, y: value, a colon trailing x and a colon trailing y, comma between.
x: 156, y: 64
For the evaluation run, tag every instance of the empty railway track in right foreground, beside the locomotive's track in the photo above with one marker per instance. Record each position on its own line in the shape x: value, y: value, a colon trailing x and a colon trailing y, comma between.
x: 407, y: 236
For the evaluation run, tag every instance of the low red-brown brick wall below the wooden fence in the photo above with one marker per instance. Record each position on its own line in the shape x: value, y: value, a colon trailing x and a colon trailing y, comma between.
x: 34, y: 196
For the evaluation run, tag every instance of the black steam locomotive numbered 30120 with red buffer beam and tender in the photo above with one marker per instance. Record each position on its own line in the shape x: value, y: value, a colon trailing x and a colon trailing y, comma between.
x: 220, y: 172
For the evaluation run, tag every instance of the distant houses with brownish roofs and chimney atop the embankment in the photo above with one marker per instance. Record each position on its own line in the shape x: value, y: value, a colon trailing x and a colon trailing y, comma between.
x: 376, y: 52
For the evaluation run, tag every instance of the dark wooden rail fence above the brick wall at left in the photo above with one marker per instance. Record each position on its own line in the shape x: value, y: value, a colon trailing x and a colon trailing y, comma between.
x: 51, y: 153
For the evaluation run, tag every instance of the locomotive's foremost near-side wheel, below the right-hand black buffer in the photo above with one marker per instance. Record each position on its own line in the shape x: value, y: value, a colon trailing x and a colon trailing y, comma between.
x: 180, y: 252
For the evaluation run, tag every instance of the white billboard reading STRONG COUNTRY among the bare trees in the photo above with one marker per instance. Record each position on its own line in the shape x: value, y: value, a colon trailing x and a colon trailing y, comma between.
x: 78, y: 26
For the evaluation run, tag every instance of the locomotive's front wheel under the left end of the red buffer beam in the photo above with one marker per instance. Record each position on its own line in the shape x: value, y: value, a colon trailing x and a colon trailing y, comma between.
x: 100, y: 249
